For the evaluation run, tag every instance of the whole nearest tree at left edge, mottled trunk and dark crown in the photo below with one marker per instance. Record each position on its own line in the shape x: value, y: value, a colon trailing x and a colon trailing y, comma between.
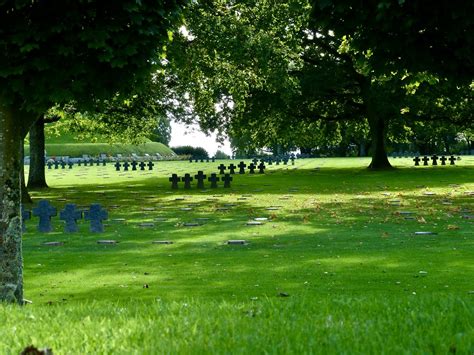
x: 56, y: 52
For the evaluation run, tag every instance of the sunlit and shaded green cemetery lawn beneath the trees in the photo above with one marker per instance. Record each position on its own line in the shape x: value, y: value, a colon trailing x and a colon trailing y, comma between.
x: 335, y: 266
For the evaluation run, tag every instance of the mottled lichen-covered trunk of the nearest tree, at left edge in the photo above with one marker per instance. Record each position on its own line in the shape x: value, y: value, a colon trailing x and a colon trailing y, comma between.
x: 12, y: 131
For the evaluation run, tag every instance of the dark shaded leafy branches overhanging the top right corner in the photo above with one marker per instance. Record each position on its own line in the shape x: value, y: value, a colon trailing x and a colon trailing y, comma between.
x: 415, y: 35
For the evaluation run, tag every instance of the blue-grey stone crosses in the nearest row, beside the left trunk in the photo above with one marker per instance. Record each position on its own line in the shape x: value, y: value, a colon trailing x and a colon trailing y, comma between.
x: 70, y: 215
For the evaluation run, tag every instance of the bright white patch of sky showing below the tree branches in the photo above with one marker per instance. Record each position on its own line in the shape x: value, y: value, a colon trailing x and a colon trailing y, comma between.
x: 182, y: 134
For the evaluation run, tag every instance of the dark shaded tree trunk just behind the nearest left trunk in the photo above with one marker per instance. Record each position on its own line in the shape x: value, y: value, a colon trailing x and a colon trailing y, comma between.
x: 37, y: 177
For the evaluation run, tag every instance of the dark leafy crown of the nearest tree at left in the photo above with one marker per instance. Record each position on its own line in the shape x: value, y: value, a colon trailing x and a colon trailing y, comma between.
x: 55, y: 52
